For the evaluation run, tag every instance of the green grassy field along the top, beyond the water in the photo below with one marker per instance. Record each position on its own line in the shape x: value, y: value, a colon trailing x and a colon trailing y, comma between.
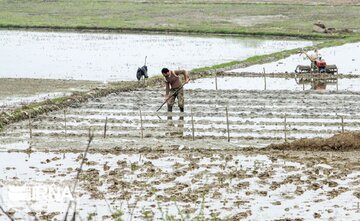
x: 226, y: 18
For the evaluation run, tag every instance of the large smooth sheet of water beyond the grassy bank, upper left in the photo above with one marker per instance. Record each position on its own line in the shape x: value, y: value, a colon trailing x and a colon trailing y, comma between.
x: 112, y: 57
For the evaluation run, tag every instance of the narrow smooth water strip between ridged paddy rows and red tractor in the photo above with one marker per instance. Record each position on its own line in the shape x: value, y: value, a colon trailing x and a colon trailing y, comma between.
x: 258, y: 83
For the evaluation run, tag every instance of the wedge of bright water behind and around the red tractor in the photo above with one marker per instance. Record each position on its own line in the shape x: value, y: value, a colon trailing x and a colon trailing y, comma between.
x: 347, y: 63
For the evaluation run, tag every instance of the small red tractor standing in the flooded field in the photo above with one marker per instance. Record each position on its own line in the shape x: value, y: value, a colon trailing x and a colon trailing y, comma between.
x: 318, y: 65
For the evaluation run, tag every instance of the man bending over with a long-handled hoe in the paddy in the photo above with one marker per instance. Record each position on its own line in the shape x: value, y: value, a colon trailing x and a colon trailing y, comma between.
x: 173, y: 83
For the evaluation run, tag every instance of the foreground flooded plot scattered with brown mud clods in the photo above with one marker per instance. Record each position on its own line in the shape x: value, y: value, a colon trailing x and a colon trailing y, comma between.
x: 225, y: 184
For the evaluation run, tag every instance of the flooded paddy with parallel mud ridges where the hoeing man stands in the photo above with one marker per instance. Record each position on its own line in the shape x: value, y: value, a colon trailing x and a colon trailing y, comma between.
x: 255, y: 119
